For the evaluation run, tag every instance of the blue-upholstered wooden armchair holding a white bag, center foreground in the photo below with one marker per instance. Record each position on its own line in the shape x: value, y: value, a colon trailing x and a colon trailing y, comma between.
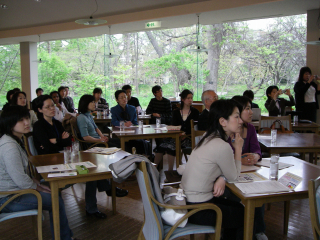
x: 154, y: 228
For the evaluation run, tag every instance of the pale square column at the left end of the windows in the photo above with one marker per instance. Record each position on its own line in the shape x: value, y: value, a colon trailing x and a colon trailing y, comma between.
x: 29, y: 69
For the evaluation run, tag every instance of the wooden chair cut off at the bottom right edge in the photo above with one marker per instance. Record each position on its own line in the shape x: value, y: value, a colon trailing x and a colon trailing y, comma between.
x: 314, y: 204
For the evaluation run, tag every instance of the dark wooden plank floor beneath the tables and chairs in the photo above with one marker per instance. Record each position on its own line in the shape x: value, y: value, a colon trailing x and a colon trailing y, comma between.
x: 128, y: 220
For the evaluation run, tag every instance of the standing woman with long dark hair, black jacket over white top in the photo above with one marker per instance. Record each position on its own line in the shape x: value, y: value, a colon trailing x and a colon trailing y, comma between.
x: 306, y: 90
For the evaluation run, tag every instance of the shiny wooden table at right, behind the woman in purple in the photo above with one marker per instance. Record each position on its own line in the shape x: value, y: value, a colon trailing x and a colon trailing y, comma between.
x: 291, y: 142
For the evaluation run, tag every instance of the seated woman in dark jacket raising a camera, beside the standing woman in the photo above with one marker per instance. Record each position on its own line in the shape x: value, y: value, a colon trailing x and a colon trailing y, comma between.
x: 275, y: 105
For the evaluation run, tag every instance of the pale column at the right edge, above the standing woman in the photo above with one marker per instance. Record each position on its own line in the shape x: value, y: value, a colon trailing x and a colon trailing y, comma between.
x: 313, y: 51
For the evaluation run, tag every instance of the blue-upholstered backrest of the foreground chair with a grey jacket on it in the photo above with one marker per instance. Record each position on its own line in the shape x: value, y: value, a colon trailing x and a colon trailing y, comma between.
x: 153, y: 227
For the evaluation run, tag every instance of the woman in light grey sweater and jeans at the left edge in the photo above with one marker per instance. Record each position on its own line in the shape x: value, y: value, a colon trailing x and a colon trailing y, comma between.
x: 14, y: 122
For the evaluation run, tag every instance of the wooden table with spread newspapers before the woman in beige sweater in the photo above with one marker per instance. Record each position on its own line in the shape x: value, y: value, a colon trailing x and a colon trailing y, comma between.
x: 301, y: 168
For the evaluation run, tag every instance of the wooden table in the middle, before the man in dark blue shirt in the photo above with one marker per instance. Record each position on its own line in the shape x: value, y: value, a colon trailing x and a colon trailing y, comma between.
x: 148, y: 132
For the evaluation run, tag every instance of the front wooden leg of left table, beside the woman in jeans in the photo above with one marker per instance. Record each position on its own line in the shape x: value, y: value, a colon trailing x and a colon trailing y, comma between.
x: 55, y: 209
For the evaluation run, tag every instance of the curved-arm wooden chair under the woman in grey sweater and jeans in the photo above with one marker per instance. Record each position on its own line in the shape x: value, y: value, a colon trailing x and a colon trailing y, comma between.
x: 35, y: 213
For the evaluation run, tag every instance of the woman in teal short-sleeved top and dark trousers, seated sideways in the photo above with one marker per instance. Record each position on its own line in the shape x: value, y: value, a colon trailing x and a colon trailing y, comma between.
x: 90, y: 132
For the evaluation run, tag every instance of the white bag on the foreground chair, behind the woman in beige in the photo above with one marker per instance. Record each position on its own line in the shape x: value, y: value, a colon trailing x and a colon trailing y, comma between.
x: 174, y: 196
